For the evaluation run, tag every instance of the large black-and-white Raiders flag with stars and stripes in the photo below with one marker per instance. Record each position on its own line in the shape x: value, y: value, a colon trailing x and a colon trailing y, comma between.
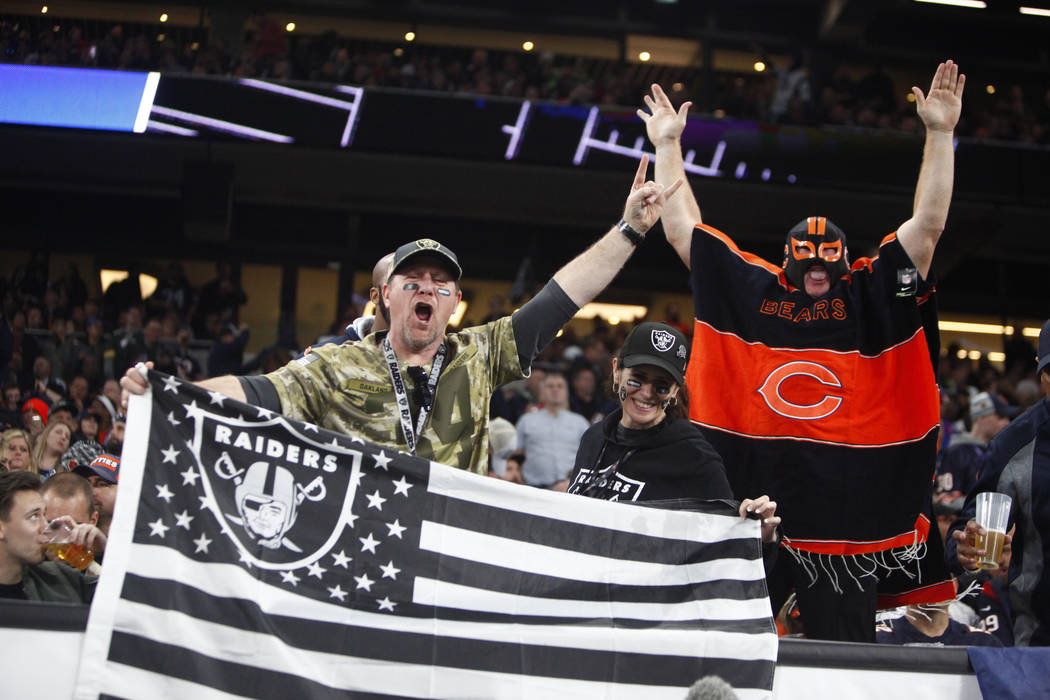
x: 256, y: 557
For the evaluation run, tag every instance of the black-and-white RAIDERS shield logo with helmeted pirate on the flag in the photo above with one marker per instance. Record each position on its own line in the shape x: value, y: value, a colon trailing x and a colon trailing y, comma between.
x: 264, y: 483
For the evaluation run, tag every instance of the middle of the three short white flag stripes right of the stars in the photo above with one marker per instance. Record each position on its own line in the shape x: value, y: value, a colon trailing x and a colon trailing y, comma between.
x: 554, y: 562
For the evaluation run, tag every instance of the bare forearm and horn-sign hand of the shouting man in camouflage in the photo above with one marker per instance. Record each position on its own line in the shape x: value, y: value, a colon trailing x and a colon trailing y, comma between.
x: 591, y: 272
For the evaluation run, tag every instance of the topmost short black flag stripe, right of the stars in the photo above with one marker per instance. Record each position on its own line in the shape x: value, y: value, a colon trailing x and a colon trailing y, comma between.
x: 584, y: 539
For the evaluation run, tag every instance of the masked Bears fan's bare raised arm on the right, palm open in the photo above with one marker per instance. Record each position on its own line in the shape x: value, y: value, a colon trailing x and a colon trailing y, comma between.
x: 940, y: 112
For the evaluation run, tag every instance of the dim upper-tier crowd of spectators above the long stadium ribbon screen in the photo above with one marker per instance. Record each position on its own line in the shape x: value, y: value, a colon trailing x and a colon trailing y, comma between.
x: 804, y: 92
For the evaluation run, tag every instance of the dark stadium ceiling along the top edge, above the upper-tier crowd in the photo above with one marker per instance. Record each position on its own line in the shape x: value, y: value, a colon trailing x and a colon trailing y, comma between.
x: 893, y: 30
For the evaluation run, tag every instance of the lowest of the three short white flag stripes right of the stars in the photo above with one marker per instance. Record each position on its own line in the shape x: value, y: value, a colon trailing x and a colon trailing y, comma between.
x: 430, y: 592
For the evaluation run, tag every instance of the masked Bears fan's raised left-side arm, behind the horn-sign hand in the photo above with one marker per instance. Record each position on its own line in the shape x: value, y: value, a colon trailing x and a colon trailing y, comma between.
x: 664, y: 126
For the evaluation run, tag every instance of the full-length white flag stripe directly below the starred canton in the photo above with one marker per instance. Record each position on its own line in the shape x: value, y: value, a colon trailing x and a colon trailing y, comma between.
x: 230, y: 581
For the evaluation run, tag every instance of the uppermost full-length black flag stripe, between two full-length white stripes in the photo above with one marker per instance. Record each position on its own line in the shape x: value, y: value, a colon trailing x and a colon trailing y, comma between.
x: 453, y: 652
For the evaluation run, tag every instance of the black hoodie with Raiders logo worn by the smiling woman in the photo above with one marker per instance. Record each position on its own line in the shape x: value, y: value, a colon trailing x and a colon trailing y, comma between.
x: 669, y: 462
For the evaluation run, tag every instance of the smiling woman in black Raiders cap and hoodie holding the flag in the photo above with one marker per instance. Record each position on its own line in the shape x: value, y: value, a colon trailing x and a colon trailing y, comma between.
x: 646, y: 451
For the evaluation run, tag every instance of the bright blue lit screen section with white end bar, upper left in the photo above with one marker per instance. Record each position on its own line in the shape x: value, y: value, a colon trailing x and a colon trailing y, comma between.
x: 77, y: 98
